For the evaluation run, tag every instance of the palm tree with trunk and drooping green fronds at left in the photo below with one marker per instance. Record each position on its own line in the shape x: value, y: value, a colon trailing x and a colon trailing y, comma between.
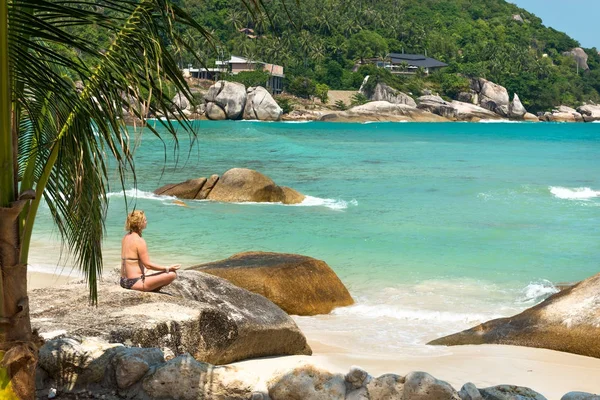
x: 54, y: 139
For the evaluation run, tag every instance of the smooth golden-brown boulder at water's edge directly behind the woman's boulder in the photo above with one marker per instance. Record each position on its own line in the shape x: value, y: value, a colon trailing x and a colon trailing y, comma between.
x: 298, y: 284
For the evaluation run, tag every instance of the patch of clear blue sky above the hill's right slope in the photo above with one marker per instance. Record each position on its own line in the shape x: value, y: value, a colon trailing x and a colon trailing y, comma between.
x: 579, y: 19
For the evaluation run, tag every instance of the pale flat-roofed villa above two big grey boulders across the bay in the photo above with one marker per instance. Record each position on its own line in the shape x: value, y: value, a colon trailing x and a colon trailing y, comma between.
x: 236, y: 64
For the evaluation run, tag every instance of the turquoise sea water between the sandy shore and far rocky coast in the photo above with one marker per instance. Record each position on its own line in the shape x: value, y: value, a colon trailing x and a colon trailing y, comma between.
x: 433, y: 227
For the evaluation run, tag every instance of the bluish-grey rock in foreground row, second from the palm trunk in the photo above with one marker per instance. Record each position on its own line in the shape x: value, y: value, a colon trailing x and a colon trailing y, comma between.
x: 131, y: 364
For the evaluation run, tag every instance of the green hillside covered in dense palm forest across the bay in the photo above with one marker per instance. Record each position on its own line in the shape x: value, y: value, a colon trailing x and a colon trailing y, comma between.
x: 323, y: 39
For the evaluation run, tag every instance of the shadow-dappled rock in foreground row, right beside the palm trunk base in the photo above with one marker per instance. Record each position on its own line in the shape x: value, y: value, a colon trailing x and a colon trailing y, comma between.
x: 76, y: 362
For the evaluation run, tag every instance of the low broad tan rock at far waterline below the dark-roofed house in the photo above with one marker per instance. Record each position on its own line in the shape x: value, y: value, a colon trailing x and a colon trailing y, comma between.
x: 382, y: 111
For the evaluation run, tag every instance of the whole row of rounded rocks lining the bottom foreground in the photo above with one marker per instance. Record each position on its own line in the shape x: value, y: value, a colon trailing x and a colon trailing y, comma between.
x: 142, y: 374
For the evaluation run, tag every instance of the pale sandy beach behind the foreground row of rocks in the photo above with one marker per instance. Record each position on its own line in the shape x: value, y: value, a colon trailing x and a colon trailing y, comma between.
x: 548, y: 372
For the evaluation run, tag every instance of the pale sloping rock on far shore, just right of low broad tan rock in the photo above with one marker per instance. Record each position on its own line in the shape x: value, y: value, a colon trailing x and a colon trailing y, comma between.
x: 455, y: 110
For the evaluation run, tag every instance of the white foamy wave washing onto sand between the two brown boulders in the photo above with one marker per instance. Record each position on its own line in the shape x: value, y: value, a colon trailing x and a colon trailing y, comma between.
x: 384, y: 311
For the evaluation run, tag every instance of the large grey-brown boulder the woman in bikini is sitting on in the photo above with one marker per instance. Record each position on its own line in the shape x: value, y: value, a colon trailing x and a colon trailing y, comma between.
x: 203, y: 315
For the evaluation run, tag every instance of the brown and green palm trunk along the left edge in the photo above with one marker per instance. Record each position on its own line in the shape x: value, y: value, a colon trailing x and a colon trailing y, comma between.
x: 18, y: 354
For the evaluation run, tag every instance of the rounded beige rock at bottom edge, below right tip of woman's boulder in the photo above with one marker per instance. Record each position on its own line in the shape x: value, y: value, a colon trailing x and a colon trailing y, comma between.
x: 307, y: 382
